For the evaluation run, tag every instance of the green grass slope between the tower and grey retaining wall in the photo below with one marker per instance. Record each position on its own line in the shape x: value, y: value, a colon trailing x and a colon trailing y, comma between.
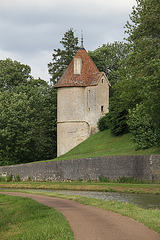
x: 105, y: 144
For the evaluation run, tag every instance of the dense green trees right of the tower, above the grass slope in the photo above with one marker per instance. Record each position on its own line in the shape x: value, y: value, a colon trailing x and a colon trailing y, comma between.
x: 135, y: 103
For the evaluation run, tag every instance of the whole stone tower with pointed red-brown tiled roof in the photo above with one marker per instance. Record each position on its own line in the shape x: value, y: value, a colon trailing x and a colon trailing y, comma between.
x: 83, y: 97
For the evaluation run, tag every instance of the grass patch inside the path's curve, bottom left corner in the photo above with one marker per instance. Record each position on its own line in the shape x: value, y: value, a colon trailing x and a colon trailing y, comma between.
x: 25, y: 219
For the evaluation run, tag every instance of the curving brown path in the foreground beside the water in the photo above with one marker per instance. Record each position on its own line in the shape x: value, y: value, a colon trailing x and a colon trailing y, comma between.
x: 91, y: 223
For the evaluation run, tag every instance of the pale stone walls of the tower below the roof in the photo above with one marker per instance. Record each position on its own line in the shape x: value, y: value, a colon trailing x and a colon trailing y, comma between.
x: 78, y: 111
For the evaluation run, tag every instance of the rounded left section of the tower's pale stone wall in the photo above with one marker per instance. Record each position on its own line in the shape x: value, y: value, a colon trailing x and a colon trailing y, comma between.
x: 72, y: 128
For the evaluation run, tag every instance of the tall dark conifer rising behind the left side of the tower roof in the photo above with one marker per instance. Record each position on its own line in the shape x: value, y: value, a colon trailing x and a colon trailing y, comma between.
x: 61, y: 58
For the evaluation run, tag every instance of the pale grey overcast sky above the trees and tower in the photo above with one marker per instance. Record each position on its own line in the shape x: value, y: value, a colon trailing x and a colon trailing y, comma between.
x: 31, y: 29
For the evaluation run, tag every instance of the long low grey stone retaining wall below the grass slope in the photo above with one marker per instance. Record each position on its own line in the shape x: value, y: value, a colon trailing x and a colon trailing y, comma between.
x: 138, y: 166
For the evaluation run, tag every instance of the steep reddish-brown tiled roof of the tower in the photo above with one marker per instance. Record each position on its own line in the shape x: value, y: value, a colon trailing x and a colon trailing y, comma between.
x: 89, y: 76
